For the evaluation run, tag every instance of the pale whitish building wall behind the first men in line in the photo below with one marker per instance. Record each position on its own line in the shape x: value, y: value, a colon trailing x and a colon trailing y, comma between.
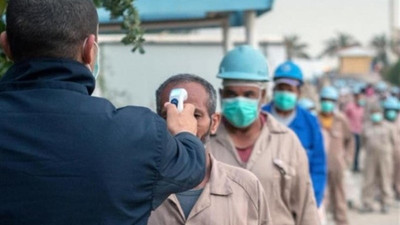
x: 128, y: 78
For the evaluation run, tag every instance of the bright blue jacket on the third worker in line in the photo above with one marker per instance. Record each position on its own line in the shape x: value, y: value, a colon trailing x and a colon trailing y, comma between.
x: 308, y: 130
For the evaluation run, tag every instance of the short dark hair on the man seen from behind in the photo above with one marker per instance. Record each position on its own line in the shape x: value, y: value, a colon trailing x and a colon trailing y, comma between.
x: 49, y: 28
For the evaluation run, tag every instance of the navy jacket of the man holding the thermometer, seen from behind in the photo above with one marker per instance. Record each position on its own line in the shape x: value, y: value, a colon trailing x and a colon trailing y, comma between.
x: 69, y: 158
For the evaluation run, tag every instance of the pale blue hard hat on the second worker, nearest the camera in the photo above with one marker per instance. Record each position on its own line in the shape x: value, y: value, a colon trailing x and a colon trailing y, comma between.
x: 244, y: 63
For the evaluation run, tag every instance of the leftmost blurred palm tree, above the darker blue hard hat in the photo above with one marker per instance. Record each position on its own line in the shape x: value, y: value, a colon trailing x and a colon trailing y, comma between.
x: 294, y: 48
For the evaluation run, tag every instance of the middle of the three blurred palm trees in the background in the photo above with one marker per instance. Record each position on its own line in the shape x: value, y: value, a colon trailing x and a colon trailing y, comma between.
x: 335, y: 44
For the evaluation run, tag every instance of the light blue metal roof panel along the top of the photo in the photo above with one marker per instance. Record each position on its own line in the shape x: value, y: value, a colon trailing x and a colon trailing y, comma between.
x: 164, y: 10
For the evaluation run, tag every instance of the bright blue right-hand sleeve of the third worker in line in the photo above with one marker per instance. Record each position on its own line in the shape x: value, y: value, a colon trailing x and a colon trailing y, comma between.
x: 317, y: 162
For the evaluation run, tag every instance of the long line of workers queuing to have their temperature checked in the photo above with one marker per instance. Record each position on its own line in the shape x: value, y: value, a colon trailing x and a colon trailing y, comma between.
x: 270, y: 163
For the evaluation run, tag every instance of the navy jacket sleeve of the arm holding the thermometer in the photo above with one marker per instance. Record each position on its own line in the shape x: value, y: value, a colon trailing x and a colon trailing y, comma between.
x: 181, y: 164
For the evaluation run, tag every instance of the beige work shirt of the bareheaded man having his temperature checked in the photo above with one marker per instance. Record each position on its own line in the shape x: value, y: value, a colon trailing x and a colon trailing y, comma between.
x: 232, y: 196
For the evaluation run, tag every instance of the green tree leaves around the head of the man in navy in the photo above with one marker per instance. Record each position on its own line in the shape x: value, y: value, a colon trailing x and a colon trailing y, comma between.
x: 117, y: 8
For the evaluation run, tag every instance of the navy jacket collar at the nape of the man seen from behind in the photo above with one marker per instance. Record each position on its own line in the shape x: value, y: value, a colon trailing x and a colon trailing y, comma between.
x: 49, y: 73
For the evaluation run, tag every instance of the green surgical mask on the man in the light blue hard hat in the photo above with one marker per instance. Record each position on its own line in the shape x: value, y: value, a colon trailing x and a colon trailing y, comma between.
x: 241, y: 112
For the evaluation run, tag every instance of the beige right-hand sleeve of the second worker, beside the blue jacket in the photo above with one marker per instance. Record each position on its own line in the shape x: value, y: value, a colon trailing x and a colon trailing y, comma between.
x: 303, y: 205
